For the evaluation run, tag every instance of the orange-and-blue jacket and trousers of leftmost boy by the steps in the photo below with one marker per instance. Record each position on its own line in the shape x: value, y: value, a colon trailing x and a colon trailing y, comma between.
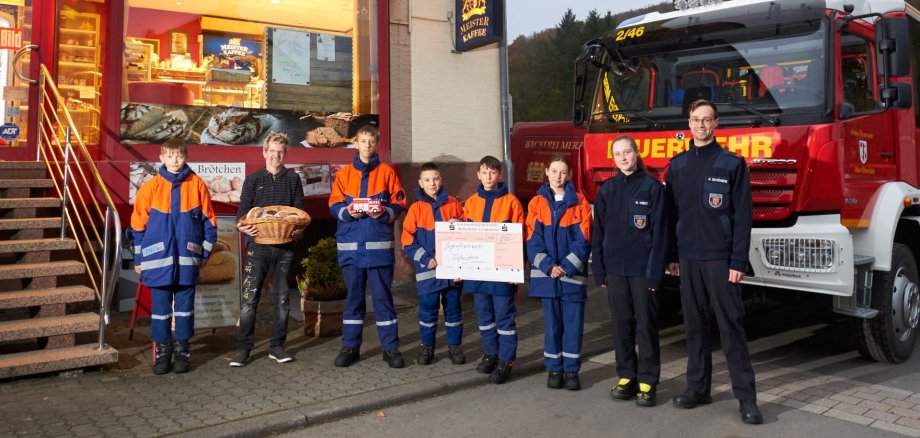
x: 173, y: 228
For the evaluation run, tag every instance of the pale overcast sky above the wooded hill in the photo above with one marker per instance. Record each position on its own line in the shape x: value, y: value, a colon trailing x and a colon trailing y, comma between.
x: 526, y: 17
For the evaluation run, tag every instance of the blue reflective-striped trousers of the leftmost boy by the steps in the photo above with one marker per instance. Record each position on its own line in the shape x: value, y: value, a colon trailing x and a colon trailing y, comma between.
x: 172, y: 302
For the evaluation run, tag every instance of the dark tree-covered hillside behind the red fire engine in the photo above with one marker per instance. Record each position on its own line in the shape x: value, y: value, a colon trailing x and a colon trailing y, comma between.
x: 541, y: 67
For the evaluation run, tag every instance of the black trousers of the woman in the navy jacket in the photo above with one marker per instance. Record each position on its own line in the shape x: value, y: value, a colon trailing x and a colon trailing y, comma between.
x: 634, y: 311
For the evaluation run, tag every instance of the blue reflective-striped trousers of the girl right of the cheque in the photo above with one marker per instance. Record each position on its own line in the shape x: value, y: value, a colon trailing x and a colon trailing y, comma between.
x: 563, y: 327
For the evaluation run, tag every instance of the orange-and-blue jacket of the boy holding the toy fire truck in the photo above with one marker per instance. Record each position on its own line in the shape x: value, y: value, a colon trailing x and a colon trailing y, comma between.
x: 366, y: 242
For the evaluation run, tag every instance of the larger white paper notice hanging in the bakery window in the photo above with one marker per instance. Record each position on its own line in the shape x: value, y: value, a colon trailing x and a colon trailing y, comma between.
x: 290, y: 56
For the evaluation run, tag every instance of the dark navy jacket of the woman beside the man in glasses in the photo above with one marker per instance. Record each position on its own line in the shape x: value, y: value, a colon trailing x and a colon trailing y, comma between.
x: 630, y: 229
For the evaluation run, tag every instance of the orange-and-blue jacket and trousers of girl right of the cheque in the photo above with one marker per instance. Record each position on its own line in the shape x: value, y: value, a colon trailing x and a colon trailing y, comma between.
x: 559, y: 234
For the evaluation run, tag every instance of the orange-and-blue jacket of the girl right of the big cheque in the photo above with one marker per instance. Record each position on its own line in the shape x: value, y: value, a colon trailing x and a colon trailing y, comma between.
x: 558, y: 233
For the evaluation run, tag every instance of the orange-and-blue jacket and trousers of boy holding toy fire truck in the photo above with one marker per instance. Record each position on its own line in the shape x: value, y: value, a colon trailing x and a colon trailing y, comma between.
x: 366, y: 245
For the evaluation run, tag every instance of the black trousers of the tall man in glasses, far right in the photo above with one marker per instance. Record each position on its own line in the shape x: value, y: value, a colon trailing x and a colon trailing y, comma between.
x: 705, y: 283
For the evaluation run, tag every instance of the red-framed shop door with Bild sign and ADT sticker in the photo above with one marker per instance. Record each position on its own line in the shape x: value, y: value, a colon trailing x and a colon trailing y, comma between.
x: 25, y: 44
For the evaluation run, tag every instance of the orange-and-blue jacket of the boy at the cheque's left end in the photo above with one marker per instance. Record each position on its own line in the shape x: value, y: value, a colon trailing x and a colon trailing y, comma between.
x: 418, y: 236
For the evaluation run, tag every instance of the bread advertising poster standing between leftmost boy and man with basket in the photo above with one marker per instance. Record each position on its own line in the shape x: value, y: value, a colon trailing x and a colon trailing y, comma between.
x: 217, y: 297
